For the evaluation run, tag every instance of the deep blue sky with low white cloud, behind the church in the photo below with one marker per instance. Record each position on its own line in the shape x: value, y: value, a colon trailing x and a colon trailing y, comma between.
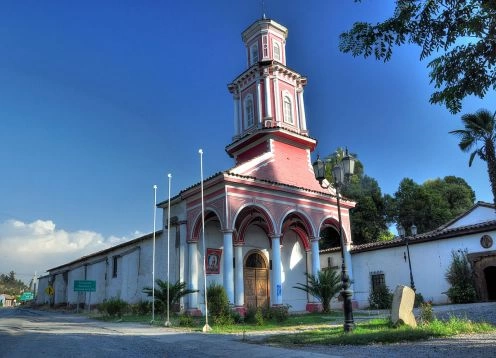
x: 100, y: 100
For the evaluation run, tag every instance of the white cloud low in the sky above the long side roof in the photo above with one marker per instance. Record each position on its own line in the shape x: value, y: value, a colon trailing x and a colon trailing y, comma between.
x: 26, y: 248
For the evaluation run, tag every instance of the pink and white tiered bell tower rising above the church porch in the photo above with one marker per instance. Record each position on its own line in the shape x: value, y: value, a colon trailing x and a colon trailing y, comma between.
x: 270, y: 128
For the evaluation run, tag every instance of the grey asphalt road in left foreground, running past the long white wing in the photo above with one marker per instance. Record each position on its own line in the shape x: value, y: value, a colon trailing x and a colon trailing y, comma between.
x: 32, y: 334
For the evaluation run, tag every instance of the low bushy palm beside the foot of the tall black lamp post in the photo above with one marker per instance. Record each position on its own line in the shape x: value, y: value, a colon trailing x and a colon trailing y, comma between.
x: 324, y: 286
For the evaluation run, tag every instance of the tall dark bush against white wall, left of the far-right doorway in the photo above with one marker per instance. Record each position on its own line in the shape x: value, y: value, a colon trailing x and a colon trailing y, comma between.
x: 459, y: 276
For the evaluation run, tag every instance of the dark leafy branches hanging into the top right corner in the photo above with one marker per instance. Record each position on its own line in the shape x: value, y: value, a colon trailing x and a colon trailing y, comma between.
x: 460, y: 33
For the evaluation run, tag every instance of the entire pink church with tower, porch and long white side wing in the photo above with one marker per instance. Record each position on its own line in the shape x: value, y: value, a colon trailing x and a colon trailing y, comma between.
x: 262, y: 217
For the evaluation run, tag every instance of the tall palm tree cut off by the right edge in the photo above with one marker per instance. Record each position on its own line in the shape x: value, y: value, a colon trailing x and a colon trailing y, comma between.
x: 480, y: 129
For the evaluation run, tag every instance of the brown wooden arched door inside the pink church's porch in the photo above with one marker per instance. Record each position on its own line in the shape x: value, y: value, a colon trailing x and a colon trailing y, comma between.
x: 256, y: 280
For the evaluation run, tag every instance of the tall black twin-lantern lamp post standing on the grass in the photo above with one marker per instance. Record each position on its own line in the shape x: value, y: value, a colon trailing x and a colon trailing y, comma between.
x: 339, y: 173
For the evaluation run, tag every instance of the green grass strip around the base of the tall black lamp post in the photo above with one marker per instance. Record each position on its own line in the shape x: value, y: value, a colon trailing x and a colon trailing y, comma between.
x: 380, y: 331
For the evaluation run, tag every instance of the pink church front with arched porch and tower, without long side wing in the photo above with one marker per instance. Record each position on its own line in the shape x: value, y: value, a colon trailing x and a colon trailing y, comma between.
x: 263, y: 217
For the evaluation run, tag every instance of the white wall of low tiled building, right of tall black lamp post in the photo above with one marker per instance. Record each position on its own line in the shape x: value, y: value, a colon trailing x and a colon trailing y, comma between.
x: 430, y: 260
